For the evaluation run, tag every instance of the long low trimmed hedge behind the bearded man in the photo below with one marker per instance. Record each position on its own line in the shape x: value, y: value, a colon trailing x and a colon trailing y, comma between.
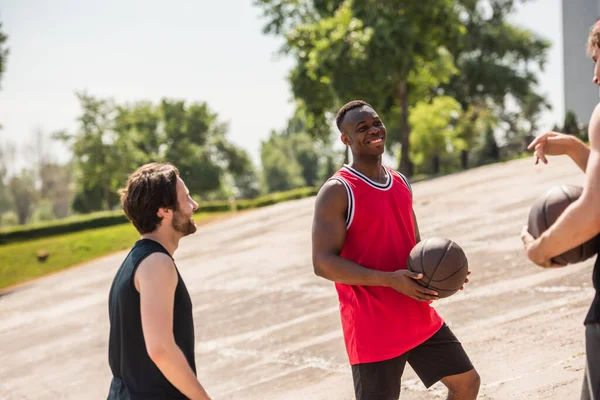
x: 109, y: 218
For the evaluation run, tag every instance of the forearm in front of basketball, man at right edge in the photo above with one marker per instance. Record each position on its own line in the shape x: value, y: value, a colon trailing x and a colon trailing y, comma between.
x: 574, y: 227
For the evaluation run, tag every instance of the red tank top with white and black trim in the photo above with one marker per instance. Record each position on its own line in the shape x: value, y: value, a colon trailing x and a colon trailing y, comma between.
x: 380, y: 323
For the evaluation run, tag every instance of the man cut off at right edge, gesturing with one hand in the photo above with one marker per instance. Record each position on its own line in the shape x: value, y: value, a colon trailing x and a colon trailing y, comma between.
x: 580, y: 221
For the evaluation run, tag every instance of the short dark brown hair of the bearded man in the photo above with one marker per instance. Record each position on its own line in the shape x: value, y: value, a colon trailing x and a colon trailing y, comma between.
x: 150, y: 187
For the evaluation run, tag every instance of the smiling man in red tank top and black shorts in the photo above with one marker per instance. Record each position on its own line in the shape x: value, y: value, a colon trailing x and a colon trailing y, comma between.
x: 363, y: 230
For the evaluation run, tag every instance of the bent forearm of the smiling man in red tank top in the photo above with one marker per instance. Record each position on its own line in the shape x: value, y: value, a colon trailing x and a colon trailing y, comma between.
x: 340, y: 270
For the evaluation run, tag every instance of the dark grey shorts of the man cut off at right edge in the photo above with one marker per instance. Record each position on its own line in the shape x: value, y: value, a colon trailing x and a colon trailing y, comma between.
x: 591, y: 380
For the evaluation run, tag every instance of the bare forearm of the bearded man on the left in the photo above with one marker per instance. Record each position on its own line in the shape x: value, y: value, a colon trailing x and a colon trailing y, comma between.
x: 174, y: 366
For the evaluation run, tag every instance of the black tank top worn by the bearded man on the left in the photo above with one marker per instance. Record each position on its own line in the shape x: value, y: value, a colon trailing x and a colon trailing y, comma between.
x: 135, y: 376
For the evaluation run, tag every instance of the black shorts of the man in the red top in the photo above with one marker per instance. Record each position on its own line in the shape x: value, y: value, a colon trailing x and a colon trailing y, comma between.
x: 441, y: 355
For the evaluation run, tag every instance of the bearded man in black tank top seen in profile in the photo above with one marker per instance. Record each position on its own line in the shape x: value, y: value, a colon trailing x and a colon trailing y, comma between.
x: 151, y: 344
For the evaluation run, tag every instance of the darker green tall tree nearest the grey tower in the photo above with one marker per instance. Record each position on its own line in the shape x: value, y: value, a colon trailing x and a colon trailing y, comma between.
x: 498, y: 63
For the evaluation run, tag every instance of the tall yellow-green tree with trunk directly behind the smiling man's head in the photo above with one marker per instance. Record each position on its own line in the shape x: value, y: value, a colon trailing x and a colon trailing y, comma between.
x: 360, y: 49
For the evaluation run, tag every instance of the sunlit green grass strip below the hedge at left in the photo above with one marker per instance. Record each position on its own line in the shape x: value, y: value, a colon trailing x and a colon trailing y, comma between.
x: 18, y: 261
